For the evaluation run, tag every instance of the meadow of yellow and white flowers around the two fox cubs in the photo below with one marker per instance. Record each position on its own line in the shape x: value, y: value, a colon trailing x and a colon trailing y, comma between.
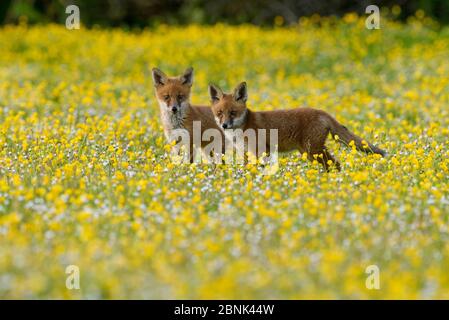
x: 86, y: 180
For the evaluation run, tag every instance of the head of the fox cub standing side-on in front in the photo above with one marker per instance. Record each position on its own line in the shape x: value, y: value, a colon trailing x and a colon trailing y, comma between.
x: 229, y: 109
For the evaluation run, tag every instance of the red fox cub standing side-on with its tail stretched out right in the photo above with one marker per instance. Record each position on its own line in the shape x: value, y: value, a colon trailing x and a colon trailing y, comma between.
x: 303, y: 129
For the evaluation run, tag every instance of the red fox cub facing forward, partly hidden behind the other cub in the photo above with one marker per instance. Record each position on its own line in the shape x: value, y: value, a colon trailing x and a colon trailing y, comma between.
x: 173, y: 95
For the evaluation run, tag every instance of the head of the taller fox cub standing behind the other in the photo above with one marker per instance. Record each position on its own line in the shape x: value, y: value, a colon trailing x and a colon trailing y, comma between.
x: 173, y: 92
